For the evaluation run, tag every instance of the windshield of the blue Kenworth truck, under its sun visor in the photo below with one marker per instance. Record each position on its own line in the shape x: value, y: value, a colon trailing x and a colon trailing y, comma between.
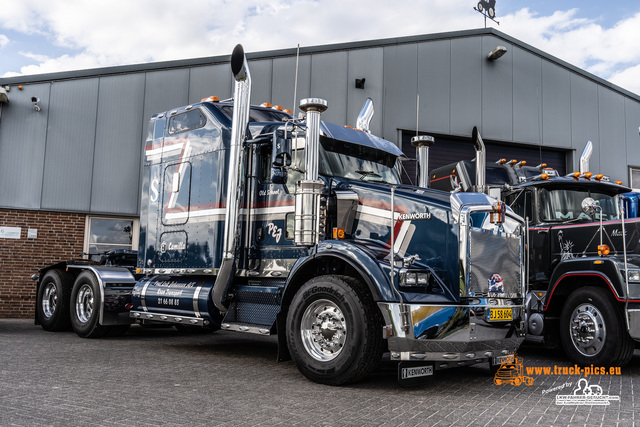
x: 346, y: 160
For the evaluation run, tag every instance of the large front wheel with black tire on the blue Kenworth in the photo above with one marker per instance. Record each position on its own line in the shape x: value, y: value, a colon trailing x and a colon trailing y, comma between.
x: 347, y: 343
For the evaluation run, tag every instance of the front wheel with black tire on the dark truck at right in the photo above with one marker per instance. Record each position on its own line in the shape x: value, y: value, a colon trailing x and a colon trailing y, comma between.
x: 593, y: 330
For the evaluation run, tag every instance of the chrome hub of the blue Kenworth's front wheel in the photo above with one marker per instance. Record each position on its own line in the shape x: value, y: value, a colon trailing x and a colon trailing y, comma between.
x: 323, y: 330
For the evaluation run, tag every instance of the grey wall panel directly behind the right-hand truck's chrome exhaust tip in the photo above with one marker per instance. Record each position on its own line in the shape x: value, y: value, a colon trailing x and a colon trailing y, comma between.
x: 584, y: 118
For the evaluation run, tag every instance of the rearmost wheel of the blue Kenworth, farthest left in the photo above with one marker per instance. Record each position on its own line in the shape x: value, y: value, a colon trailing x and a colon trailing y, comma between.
x: 52, y: 301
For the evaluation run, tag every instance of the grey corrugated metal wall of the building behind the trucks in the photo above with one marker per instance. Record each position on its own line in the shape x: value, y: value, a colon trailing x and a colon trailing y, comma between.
x: 82, y: 151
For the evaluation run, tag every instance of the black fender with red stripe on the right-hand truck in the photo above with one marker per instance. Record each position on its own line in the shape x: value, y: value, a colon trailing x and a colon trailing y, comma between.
x: 605, y: 269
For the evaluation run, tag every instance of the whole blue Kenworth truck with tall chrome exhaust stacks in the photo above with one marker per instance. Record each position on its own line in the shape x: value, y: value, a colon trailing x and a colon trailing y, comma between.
x: 258, y: 222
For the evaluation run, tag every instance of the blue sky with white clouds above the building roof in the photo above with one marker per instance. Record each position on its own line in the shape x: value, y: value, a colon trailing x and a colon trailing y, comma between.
x: 42, y: 36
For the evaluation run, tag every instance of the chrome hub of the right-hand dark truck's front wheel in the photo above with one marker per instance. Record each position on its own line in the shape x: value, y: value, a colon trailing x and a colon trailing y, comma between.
x: 588, y: 330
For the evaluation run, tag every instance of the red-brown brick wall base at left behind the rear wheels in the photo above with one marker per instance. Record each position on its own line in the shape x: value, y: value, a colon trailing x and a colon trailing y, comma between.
x: 60, y: 238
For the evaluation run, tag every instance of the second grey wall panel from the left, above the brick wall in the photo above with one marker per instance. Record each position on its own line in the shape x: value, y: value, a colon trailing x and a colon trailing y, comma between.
x: 68, y: 167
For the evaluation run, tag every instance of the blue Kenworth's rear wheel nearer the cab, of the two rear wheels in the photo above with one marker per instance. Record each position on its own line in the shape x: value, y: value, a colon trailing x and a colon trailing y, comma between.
x: 85, y: 307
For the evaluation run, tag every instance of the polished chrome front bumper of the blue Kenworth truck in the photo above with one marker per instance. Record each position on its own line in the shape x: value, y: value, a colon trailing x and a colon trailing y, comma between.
x: 459, y: 334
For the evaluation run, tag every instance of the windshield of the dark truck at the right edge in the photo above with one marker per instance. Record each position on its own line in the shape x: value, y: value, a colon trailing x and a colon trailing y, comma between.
x: 566, y: 204
